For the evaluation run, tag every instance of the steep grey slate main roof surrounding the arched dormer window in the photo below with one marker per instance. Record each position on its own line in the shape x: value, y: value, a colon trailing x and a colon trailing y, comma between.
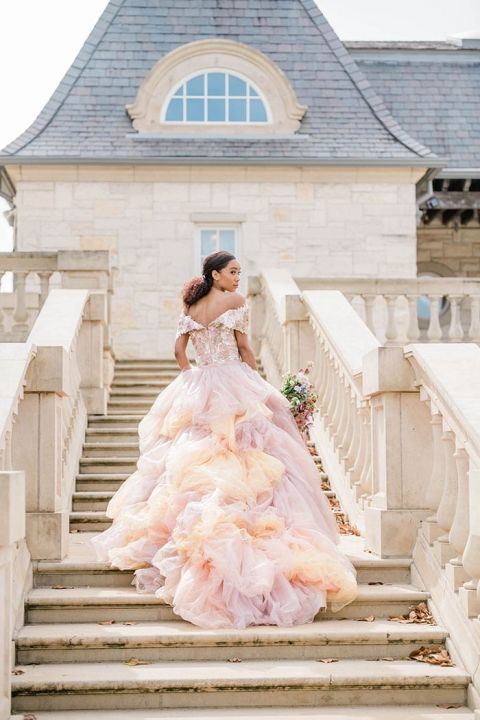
x: 85, y: 120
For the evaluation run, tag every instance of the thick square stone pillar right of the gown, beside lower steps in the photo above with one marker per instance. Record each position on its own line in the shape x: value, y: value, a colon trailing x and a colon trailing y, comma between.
x: 400, y: 427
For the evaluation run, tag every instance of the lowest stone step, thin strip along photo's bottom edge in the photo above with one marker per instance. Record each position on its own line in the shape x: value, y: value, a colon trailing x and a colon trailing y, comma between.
x: 352, y: 712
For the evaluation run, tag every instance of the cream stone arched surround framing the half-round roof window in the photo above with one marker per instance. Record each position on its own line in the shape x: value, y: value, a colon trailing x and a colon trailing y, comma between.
x: 230, y: 56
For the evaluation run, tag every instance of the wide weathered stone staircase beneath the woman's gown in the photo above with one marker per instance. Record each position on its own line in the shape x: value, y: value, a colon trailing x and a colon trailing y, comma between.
x: 93, y: 648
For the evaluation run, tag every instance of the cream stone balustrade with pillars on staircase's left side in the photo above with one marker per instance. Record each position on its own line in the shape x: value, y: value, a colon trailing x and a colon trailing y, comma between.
x: 49, y: 383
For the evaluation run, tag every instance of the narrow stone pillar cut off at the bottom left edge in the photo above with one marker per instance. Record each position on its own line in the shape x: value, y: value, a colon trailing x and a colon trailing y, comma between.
x: 12, y: 530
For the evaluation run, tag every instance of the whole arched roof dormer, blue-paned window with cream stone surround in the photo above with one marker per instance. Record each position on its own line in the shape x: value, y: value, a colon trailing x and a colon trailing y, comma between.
x: 216, y: 86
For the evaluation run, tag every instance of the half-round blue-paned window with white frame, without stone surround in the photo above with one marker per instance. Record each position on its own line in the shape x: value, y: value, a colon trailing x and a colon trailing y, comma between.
x: 216, y: 97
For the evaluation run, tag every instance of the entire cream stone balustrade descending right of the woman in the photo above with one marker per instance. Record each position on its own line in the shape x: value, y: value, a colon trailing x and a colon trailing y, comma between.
x: 398, y: 429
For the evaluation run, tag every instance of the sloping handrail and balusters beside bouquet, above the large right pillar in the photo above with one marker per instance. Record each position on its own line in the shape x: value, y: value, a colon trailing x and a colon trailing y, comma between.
x: 342, y: 425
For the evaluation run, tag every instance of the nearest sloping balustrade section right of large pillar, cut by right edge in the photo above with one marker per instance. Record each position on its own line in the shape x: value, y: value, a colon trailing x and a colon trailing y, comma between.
x: 449, y: 381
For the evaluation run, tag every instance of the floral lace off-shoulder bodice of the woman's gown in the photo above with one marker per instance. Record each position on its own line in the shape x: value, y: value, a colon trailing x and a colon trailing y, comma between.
x: 215, y: 343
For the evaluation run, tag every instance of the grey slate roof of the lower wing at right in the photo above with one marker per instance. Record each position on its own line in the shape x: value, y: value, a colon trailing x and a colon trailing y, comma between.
x: 433, y: 90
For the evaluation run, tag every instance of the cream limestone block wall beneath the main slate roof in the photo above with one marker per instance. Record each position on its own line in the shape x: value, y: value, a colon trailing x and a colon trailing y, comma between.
x: 314, y: 222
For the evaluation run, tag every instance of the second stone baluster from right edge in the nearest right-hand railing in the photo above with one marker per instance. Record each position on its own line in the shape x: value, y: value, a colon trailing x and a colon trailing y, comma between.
x: 461, y: 524
